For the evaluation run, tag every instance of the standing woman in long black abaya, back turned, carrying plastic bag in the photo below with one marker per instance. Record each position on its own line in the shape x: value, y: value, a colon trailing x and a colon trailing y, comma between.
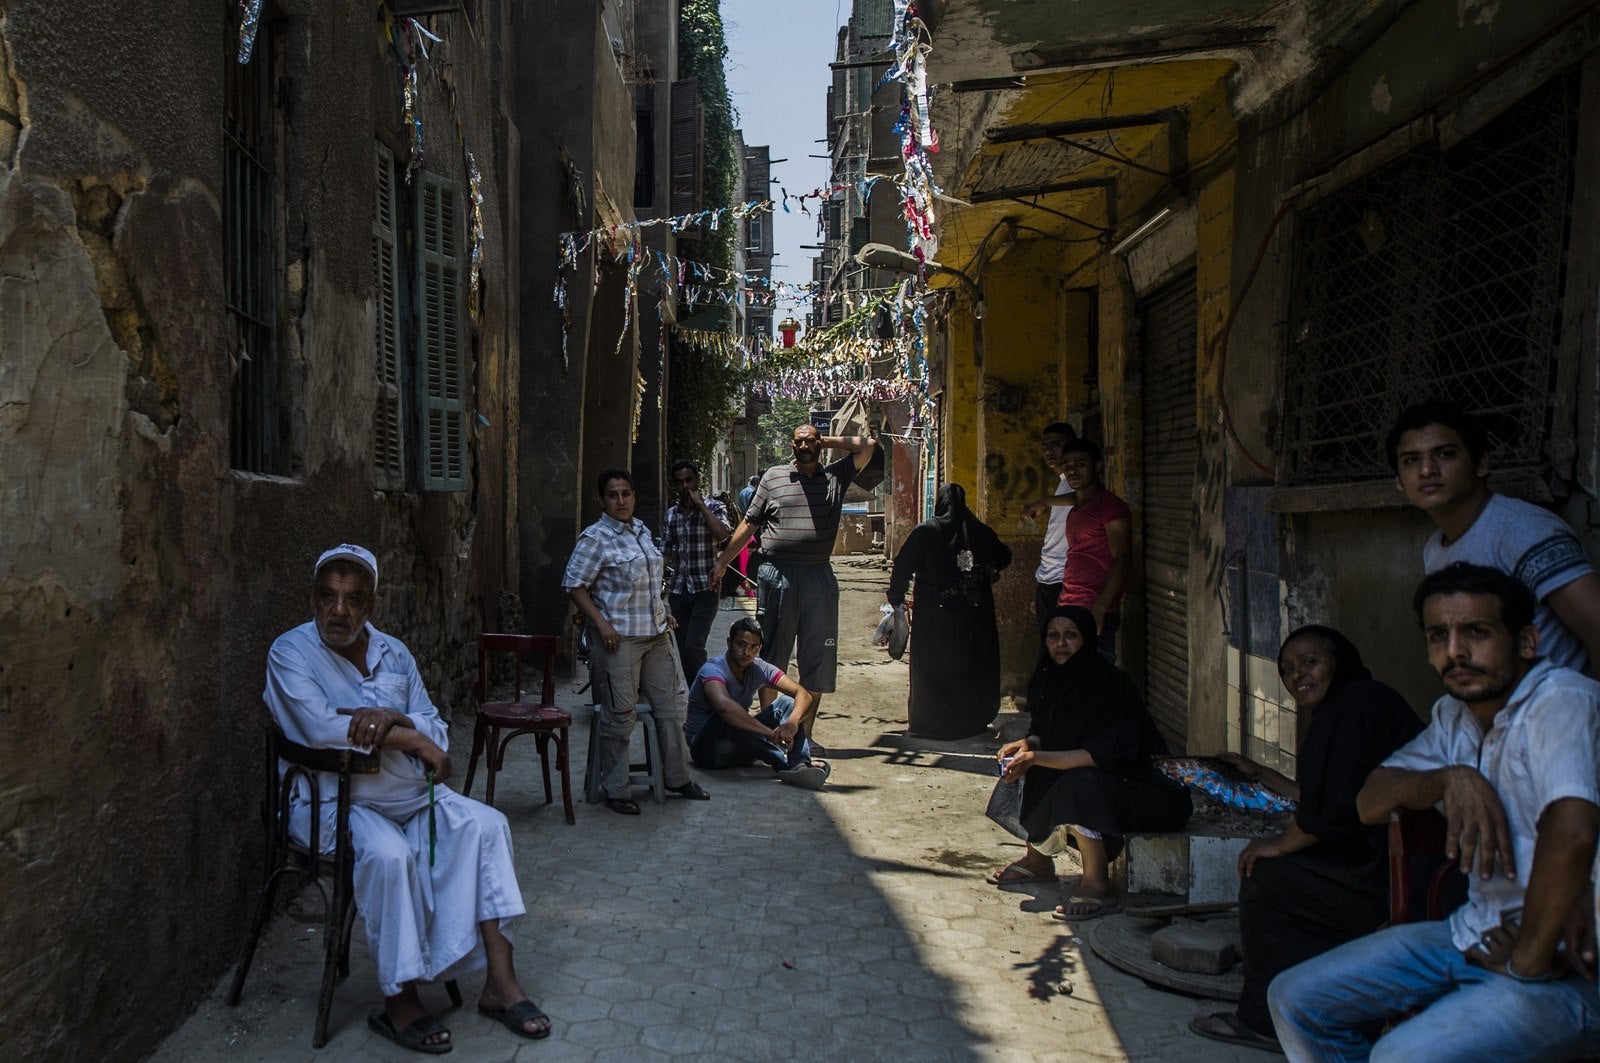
x: 956, y: 651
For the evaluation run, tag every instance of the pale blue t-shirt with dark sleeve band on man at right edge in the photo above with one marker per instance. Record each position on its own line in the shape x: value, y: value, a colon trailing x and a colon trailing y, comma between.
x: 1535, y: 547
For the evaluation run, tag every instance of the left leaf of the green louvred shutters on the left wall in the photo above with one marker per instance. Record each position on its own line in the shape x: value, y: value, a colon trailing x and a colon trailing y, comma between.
x: 388, y: 431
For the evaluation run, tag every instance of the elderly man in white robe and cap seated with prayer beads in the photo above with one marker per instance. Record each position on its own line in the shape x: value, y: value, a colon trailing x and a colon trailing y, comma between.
x: 431, y: 917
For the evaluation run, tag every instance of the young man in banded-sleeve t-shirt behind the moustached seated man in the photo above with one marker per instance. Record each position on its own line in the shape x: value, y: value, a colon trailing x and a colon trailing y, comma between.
x: 1441, y: 462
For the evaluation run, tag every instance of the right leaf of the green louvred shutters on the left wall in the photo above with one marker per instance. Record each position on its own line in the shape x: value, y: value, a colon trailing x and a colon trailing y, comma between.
x: 441, y: 340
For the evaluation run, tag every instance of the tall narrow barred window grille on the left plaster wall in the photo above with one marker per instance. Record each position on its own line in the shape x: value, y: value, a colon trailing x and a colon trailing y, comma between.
x: 250, y: 268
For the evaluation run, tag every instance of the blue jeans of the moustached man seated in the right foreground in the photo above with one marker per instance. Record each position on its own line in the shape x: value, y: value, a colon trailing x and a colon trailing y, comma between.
x: 1332, y: 1008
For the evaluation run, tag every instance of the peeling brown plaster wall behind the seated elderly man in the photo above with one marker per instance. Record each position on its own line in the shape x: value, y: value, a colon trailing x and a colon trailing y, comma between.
x: 142, y: 579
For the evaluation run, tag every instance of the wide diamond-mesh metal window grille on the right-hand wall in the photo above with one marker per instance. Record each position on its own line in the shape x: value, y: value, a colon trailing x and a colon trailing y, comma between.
x: 1434, y: 276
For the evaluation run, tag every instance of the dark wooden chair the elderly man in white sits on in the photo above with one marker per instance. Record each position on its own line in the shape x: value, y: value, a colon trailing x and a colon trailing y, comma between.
x: 329, y: 872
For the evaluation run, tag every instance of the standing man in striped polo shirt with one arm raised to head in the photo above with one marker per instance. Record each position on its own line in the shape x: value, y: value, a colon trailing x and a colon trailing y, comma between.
x: 796, y: 508
